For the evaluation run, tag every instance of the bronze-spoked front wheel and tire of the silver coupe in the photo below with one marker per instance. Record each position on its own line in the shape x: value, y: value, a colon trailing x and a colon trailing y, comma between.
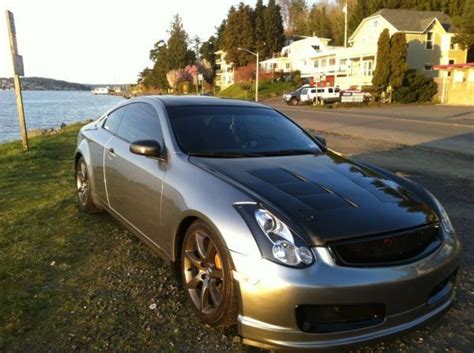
x: 206, y: 273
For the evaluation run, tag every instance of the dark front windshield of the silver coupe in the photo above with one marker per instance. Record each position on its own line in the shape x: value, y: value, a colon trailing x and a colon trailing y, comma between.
x: 230, y: 131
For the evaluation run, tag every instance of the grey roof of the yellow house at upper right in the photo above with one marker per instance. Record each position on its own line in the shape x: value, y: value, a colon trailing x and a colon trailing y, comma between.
x: 415, y: 21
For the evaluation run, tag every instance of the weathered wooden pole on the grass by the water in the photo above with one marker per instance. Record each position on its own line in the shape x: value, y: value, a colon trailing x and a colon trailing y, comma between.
x: 17, y: 72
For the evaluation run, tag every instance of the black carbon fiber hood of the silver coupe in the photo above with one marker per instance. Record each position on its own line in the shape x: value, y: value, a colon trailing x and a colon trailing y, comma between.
x: 327, y: 197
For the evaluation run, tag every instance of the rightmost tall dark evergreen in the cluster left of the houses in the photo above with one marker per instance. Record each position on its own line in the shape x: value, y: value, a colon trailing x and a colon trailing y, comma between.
x: 275, y: 36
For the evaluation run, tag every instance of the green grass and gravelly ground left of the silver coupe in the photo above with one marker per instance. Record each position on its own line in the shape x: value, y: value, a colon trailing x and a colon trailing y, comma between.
x: 75, y: 282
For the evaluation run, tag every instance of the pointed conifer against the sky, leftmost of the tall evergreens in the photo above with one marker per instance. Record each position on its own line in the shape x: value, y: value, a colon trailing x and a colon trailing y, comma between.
x: 178, y: 54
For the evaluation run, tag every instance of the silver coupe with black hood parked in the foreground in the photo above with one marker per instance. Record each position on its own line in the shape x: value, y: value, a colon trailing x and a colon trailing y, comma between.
x: 267, y: 228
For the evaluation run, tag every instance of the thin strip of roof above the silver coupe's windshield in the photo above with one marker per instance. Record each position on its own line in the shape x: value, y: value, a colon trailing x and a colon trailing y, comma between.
x: 176, y: 101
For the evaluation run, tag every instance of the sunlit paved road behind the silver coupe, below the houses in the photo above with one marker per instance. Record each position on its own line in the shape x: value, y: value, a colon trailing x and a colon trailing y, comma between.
x: 441, y: 127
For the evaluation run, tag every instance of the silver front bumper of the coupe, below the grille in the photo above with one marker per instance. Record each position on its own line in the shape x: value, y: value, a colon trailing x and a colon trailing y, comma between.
x: 270, y: 294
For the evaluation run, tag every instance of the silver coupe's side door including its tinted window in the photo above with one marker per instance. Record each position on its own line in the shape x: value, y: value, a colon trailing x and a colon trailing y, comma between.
x: 134, y: 182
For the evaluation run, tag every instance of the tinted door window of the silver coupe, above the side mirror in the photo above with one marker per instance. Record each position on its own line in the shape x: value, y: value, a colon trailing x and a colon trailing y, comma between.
x: 141, y: 122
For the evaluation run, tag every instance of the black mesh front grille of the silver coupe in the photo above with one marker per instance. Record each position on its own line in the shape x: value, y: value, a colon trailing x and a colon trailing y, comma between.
x: 388, y: 249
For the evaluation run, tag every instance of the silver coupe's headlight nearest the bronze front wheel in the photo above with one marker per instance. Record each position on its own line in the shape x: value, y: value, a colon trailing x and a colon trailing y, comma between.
x: 274, y: 238
